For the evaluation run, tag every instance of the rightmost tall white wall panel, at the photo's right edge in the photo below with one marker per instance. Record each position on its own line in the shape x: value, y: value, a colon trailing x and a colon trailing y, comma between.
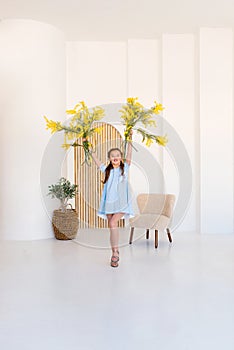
x: 216, y: 130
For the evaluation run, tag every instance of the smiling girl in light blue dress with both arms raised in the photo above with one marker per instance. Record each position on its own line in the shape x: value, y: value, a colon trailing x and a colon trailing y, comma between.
x: 115, y: 201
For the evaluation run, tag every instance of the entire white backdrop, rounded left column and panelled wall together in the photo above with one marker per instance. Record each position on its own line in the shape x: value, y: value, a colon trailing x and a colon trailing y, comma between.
x: 192, y: 75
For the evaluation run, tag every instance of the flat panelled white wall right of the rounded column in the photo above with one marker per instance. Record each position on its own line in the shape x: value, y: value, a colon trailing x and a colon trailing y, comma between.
x: 167, y: 69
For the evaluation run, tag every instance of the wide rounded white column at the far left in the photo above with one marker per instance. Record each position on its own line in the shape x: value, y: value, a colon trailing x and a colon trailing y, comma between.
x: 32, y: 84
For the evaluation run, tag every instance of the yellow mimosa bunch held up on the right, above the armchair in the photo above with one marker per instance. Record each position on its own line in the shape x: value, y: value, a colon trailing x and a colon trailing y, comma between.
x: 133, y: 113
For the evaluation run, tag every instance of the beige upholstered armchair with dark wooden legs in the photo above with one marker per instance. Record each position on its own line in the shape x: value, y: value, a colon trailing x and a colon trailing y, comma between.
x: 155, y: 213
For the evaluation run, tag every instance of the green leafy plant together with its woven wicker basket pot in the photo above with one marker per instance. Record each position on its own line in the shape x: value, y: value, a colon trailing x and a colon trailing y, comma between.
x: 64, y: 220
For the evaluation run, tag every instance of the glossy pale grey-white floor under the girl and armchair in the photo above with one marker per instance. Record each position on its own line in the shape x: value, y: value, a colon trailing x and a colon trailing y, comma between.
x: 64, y: 295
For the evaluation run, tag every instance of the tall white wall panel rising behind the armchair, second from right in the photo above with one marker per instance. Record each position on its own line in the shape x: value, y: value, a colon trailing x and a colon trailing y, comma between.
x: 178, y: 51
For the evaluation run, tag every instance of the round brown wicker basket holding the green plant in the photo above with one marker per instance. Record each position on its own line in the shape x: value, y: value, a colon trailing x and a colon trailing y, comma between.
x: 65, y: 224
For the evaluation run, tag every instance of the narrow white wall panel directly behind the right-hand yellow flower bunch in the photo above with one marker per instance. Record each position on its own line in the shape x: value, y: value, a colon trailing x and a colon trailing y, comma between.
x: 144, y: 82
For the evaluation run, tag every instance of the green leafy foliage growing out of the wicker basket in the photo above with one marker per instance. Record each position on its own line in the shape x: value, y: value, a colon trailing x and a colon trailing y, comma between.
x: 63, y: 190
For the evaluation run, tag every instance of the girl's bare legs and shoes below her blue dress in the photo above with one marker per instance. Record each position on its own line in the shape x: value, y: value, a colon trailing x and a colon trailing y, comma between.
x: 114, y: 235
